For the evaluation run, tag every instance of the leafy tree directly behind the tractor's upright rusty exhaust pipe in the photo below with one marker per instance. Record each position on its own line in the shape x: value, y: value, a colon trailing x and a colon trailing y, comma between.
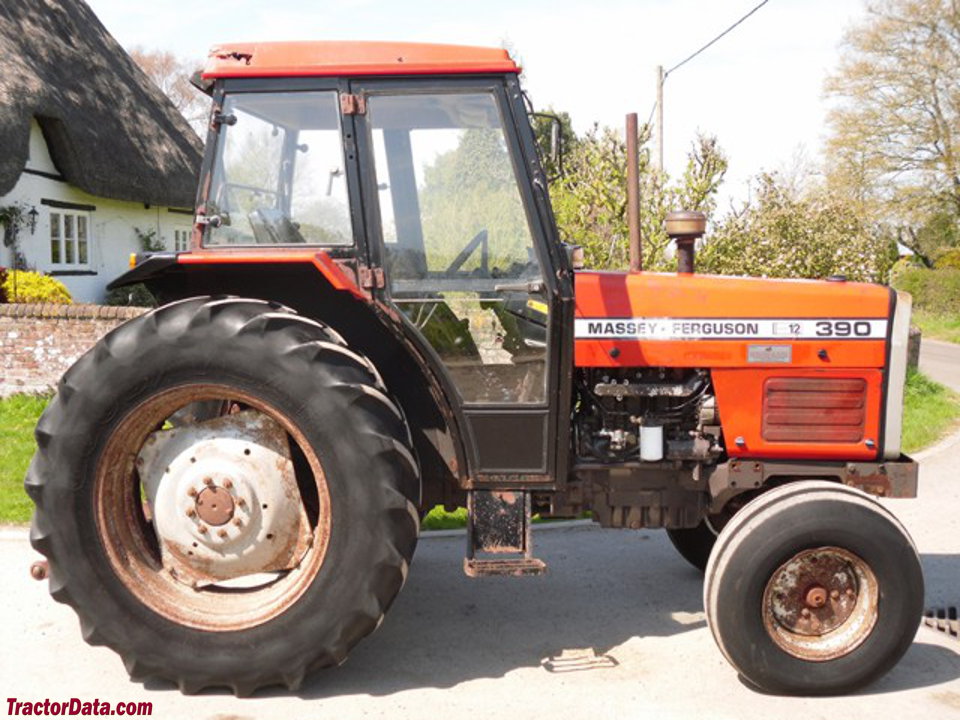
x: 590, y: 200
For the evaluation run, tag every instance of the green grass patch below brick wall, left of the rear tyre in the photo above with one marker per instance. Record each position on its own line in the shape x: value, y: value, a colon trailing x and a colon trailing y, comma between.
x: 18, y: 416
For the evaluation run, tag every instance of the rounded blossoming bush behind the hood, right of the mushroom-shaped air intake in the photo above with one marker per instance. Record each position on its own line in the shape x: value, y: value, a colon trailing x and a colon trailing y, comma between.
x: 787, y: 233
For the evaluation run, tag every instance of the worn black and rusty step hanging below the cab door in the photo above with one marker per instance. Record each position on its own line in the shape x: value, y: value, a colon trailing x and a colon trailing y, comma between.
x: 499, y: 534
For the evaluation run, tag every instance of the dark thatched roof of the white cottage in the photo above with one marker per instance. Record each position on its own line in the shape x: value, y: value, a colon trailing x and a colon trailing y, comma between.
x: 110, y: 130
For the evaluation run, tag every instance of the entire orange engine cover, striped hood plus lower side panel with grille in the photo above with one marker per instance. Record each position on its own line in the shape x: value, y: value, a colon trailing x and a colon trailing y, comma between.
x: 799, y: 367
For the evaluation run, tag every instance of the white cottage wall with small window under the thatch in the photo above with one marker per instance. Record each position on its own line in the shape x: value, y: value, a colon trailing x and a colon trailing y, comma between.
x: 112, y: 236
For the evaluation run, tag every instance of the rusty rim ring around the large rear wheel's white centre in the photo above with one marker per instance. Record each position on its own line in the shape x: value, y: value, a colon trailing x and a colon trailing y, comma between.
x: 131, y: 544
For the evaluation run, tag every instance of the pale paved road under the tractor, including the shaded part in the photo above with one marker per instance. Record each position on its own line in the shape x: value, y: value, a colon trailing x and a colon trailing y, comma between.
x: 455, y: 648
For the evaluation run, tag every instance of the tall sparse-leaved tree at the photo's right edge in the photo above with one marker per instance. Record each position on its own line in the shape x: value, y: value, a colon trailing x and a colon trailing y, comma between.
x: 895, y: 142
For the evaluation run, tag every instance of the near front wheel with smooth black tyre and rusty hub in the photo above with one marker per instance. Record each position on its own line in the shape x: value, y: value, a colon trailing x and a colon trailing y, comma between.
x: 813, y: 589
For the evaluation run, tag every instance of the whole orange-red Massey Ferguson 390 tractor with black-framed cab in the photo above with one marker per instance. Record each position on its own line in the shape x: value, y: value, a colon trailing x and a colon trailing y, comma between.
x: 376, y: 316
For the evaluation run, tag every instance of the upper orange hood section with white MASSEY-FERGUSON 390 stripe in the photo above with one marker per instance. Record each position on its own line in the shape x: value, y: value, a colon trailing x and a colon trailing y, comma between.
x: 654, y: 319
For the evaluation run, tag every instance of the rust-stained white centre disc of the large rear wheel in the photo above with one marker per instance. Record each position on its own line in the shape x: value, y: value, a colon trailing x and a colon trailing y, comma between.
x: 224, y: 498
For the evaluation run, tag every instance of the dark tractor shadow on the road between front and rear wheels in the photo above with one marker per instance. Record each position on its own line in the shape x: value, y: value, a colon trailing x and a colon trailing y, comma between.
x: 602, y: 588
